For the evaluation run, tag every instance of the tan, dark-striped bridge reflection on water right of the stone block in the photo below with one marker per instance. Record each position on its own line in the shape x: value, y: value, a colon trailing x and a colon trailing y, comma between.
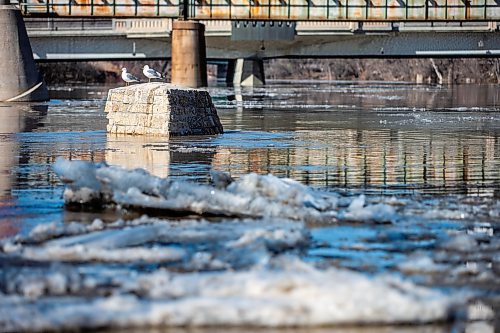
x: 376, y: 159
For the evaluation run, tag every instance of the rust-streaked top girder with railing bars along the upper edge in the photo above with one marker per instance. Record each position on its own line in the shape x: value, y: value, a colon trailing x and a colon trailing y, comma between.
x: 274, y: 10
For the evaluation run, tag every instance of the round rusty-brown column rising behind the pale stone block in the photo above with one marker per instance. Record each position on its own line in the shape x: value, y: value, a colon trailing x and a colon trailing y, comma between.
x: 189, y: 60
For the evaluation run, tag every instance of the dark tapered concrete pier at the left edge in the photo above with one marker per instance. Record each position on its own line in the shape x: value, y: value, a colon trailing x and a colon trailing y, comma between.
x: 20, y: 80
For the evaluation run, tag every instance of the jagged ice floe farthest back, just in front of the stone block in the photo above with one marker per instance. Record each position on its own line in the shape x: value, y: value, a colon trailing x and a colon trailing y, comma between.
x: 251, y: 195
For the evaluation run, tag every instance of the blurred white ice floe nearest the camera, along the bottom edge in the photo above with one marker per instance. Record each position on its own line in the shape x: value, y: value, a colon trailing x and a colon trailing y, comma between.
x: 298, y: 295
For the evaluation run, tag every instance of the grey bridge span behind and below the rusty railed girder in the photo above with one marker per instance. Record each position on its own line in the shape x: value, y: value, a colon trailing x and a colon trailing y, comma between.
x: 128, y: 39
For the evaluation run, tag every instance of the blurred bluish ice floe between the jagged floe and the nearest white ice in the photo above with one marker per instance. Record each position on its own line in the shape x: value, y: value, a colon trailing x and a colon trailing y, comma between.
x: 232, y: 244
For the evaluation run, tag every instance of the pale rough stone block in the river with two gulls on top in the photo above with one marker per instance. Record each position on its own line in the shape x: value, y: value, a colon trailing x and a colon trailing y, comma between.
x: 161, y: 109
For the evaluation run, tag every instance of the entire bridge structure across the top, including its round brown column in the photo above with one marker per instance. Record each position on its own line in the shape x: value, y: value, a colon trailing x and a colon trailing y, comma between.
x: 244, y: 32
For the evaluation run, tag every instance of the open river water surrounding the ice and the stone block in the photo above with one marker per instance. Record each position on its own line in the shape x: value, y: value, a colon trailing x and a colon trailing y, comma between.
x: 431, y: 153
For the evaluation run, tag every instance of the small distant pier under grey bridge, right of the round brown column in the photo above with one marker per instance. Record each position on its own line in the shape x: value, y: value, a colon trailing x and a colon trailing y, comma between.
x: 246, y: 72
